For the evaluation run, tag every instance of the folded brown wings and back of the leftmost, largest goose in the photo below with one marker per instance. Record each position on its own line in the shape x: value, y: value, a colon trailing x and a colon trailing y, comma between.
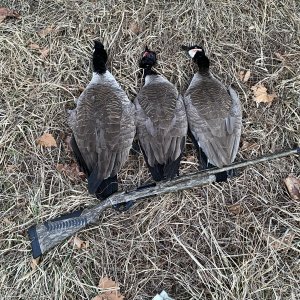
x: 104, y: 134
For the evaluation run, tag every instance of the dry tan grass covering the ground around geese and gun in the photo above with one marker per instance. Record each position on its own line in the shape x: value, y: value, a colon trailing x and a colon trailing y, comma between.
x: 194, y: 243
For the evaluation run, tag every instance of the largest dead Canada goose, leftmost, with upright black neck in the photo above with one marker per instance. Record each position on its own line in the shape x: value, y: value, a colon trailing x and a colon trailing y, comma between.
x: 103, y: 128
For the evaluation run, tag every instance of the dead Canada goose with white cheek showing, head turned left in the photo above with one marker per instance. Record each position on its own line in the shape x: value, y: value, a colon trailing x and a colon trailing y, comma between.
x: 214, y: 114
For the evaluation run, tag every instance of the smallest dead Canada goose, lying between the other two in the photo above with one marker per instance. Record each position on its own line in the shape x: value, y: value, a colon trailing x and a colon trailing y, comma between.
x: 161, y: 121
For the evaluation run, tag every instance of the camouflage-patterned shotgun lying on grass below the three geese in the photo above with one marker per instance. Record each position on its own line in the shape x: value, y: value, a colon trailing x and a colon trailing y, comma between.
x: 47, y: 235
